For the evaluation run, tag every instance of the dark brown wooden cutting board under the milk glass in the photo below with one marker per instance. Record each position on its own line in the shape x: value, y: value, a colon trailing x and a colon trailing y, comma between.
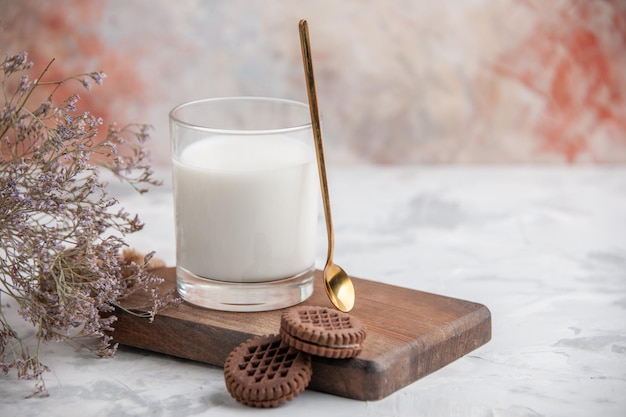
x: 410, y: 335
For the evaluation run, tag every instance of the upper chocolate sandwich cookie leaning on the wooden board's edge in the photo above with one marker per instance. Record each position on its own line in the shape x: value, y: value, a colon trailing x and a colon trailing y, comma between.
x: 322, y: 331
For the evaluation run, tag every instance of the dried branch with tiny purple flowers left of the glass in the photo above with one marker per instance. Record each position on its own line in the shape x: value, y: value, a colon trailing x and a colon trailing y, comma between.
x: 61, y: 234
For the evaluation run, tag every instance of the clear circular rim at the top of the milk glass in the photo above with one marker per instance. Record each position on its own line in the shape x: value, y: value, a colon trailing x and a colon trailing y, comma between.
x: 298, y: 127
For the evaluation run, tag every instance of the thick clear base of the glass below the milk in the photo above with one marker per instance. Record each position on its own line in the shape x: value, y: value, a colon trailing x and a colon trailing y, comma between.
x: 244, y: 297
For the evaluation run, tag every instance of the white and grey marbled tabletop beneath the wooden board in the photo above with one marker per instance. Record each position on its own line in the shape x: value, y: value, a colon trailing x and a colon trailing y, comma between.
x: 543, y: 248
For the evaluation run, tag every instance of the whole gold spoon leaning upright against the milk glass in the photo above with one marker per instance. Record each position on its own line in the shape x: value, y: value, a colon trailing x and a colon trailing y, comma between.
x: 338, y: 285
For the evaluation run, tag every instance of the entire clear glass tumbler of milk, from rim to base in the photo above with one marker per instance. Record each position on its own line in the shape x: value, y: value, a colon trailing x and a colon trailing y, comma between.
x: 246, y: 202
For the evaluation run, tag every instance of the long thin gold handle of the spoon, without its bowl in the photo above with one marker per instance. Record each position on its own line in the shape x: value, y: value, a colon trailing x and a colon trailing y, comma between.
x: 317, y: 133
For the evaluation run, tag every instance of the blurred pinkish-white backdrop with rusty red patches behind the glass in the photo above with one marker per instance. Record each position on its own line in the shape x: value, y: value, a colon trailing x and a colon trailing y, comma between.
x: 399, y: 81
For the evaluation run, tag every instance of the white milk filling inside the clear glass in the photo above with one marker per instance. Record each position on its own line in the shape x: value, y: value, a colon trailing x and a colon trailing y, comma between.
x: 246, y: 208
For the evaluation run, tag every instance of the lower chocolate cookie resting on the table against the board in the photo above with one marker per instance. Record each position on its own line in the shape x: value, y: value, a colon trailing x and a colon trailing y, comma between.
x: 266, y: 372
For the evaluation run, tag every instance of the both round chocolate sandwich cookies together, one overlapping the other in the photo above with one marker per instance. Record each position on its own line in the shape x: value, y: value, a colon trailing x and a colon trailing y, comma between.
x: 267, y: 371
